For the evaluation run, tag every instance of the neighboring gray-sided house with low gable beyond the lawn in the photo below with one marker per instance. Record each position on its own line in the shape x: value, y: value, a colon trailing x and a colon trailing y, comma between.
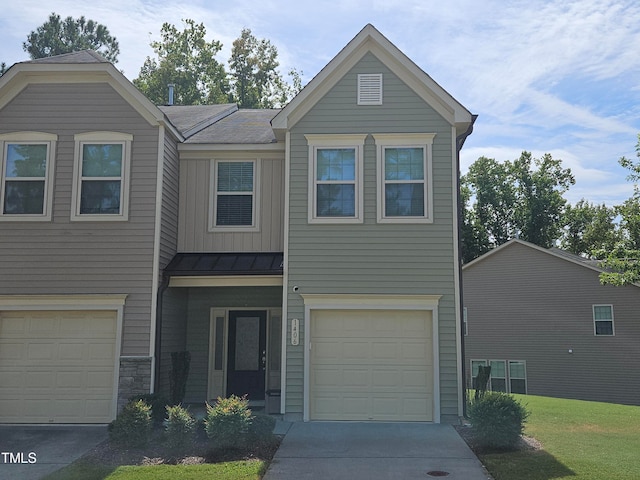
x: 545, y: 324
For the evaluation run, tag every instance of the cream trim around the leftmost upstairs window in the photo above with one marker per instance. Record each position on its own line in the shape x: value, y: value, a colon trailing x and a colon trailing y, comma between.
x: 35, y: 138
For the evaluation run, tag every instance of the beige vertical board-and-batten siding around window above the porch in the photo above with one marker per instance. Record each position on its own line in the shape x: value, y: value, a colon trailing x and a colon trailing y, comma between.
x: 195, y: 185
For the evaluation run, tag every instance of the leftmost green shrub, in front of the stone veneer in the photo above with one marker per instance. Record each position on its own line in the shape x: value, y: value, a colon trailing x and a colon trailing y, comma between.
x: 132, y: 427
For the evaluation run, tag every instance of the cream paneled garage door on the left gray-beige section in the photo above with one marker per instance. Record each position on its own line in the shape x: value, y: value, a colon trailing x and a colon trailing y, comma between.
x: 57, y: 367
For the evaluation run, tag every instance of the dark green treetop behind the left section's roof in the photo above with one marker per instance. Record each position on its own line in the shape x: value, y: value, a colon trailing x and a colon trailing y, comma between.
x: 56, y: 36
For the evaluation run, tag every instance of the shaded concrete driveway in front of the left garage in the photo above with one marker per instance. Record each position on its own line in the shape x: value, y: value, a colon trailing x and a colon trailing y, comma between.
x: 29, y: 452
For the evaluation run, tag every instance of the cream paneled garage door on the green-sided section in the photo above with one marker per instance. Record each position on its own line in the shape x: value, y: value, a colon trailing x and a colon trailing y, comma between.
x: 371, y: 365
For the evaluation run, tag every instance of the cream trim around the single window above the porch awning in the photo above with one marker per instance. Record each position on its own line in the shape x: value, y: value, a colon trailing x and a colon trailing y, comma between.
x: 213, y: 197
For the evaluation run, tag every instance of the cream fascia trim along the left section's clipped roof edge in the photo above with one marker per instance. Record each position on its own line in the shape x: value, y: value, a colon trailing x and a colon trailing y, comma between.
x: 23, y: 74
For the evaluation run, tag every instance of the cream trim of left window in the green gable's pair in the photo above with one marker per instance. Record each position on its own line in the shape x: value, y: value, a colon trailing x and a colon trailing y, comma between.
x: 355, y: 141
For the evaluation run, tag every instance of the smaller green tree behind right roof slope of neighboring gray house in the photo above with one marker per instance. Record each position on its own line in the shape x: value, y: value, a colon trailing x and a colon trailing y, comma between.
x: 589, y: 228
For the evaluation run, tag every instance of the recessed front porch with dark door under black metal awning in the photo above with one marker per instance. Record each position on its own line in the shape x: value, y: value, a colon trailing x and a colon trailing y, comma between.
x: 231, y: 324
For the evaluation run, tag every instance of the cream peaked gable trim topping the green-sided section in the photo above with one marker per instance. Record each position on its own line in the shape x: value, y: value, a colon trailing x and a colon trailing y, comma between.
x: 371, y: 40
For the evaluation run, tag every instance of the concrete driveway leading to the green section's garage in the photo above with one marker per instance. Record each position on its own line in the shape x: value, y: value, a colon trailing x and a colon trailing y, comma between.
x: 373, y: 451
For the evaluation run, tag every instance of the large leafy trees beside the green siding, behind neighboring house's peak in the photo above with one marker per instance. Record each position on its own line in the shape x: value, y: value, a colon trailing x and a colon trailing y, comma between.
x: 521, y: 198
